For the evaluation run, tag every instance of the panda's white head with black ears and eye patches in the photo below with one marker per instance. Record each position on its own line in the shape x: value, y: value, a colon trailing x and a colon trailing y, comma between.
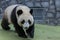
x: 24, y: 16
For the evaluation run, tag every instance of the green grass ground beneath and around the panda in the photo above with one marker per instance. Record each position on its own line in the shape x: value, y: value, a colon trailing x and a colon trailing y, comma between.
x: 42, y: 32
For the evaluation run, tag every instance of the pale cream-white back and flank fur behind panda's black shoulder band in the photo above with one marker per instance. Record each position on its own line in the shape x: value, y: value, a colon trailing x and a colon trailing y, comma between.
x: 8, y: 12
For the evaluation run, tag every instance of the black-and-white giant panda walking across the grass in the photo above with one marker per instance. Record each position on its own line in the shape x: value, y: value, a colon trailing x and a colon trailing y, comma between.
x: 22, y: 19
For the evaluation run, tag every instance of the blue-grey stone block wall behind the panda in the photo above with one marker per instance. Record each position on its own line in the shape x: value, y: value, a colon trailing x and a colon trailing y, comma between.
x: 44, y: 11
